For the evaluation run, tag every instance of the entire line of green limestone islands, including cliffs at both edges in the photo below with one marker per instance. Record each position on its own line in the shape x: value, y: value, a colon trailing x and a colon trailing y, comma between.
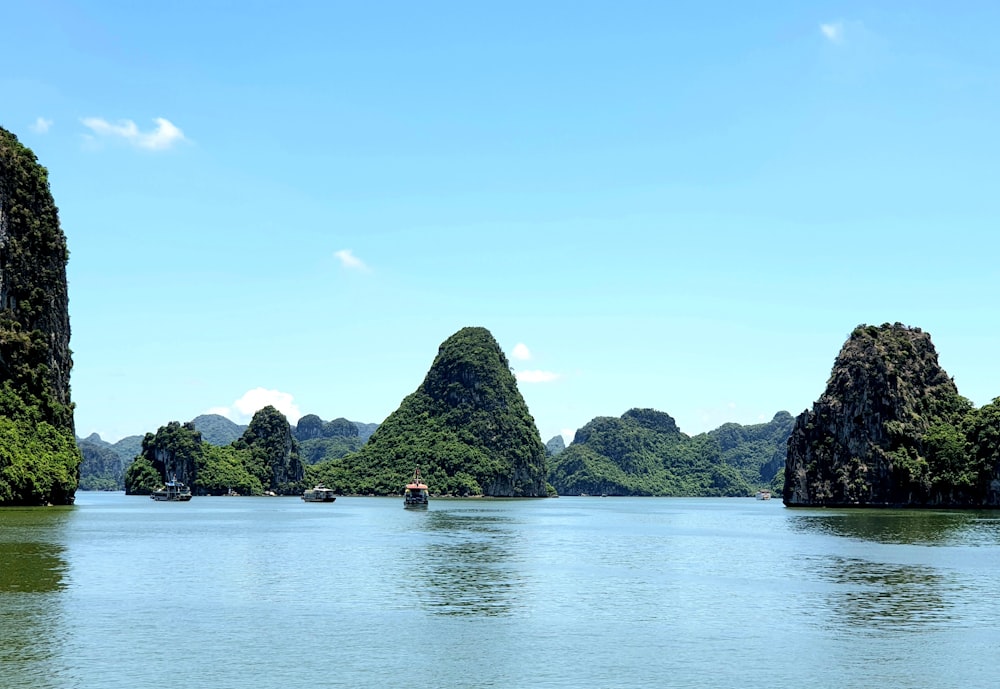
x: 891, y: 428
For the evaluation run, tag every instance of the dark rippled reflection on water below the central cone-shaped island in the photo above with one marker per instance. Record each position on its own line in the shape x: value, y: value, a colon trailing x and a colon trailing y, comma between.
x: 468, y: 565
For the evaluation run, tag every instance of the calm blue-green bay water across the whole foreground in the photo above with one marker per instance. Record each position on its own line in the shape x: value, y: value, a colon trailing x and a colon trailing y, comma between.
x: 575, y: 592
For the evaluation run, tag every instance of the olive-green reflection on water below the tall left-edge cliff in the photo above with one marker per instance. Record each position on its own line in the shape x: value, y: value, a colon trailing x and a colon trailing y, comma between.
x: 32, y: 573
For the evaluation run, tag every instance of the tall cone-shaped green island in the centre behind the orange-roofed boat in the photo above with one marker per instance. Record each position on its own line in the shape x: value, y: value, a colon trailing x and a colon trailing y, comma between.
x: 466, y: 427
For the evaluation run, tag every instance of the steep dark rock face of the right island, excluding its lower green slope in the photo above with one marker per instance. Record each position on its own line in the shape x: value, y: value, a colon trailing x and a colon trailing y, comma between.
x: 865, y: 440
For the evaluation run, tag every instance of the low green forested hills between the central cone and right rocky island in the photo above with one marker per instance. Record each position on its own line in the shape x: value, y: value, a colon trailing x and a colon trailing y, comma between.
x: 644, y: 453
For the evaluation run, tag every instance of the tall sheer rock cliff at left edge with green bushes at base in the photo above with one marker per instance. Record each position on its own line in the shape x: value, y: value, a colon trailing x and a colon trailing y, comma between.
x: 37, y: 463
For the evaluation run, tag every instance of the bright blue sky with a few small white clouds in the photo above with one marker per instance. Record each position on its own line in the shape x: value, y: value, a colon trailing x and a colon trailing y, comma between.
x: 686, y: 206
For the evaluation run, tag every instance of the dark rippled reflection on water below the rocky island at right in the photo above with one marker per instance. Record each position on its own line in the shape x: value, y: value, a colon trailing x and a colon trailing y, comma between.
x: 898, y: 571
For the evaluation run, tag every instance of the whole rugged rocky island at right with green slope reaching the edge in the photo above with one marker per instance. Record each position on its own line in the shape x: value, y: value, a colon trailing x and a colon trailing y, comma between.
x: 892, y: 429
